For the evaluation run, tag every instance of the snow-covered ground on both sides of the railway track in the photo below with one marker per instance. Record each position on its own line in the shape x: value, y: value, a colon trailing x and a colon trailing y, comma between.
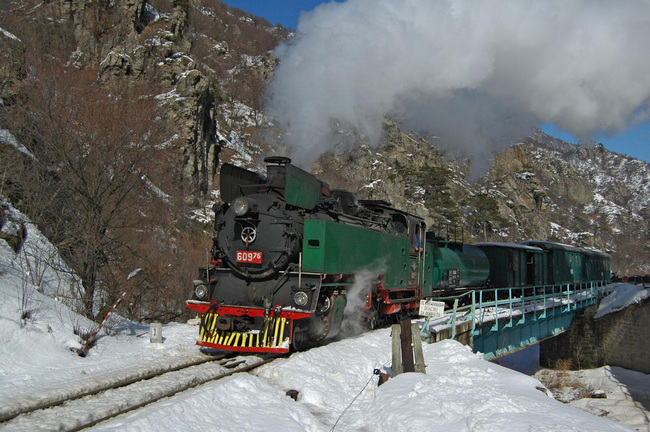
x: 336, y: 387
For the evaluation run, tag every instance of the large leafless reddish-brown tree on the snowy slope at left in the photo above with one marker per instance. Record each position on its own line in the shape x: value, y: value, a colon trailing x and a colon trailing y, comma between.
x: 88, y: 184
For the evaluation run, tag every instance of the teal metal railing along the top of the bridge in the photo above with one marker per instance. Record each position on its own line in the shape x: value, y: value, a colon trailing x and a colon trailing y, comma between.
x: 515, y: 305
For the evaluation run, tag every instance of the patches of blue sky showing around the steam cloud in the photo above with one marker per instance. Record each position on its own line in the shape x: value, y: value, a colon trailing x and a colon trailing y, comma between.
x: 634, y: 142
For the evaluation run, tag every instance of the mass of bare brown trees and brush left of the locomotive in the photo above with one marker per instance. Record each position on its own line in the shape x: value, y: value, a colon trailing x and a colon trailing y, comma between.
x: 103, y: 182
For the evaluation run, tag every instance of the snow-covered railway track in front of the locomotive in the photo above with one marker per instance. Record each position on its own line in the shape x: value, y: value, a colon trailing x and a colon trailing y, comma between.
x: 87, y: 407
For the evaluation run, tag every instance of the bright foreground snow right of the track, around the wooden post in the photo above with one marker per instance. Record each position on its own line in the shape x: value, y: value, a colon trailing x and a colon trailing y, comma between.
x: 459, y: 392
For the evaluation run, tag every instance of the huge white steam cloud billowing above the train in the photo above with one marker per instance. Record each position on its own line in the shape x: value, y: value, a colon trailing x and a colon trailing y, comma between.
x: 477, y: 74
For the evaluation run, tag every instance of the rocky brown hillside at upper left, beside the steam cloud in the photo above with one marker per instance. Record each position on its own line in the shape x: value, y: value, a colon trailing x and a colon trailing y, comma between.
x: 186, y: 56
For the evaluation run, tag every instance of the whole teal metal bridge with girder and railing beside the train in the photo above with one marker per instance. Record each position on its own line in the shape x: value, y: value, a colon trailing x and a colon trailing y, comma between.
x: 505, y: 320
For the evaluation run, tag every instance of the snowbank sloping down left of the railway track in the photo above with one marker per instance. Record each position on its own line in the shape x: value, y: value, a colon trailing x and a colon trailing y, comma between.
x: 37, y: 339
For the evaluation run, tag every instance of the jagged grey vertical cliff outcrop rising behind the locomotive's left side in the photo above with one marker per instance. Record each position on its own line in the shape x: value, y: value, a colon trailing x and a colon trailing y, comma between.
x: 152, y: 49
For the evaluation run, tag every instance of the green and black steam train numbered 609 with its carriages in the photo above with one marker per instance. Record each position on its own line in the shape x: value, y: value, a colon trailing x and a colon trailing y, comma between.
x: 293, y: 262
